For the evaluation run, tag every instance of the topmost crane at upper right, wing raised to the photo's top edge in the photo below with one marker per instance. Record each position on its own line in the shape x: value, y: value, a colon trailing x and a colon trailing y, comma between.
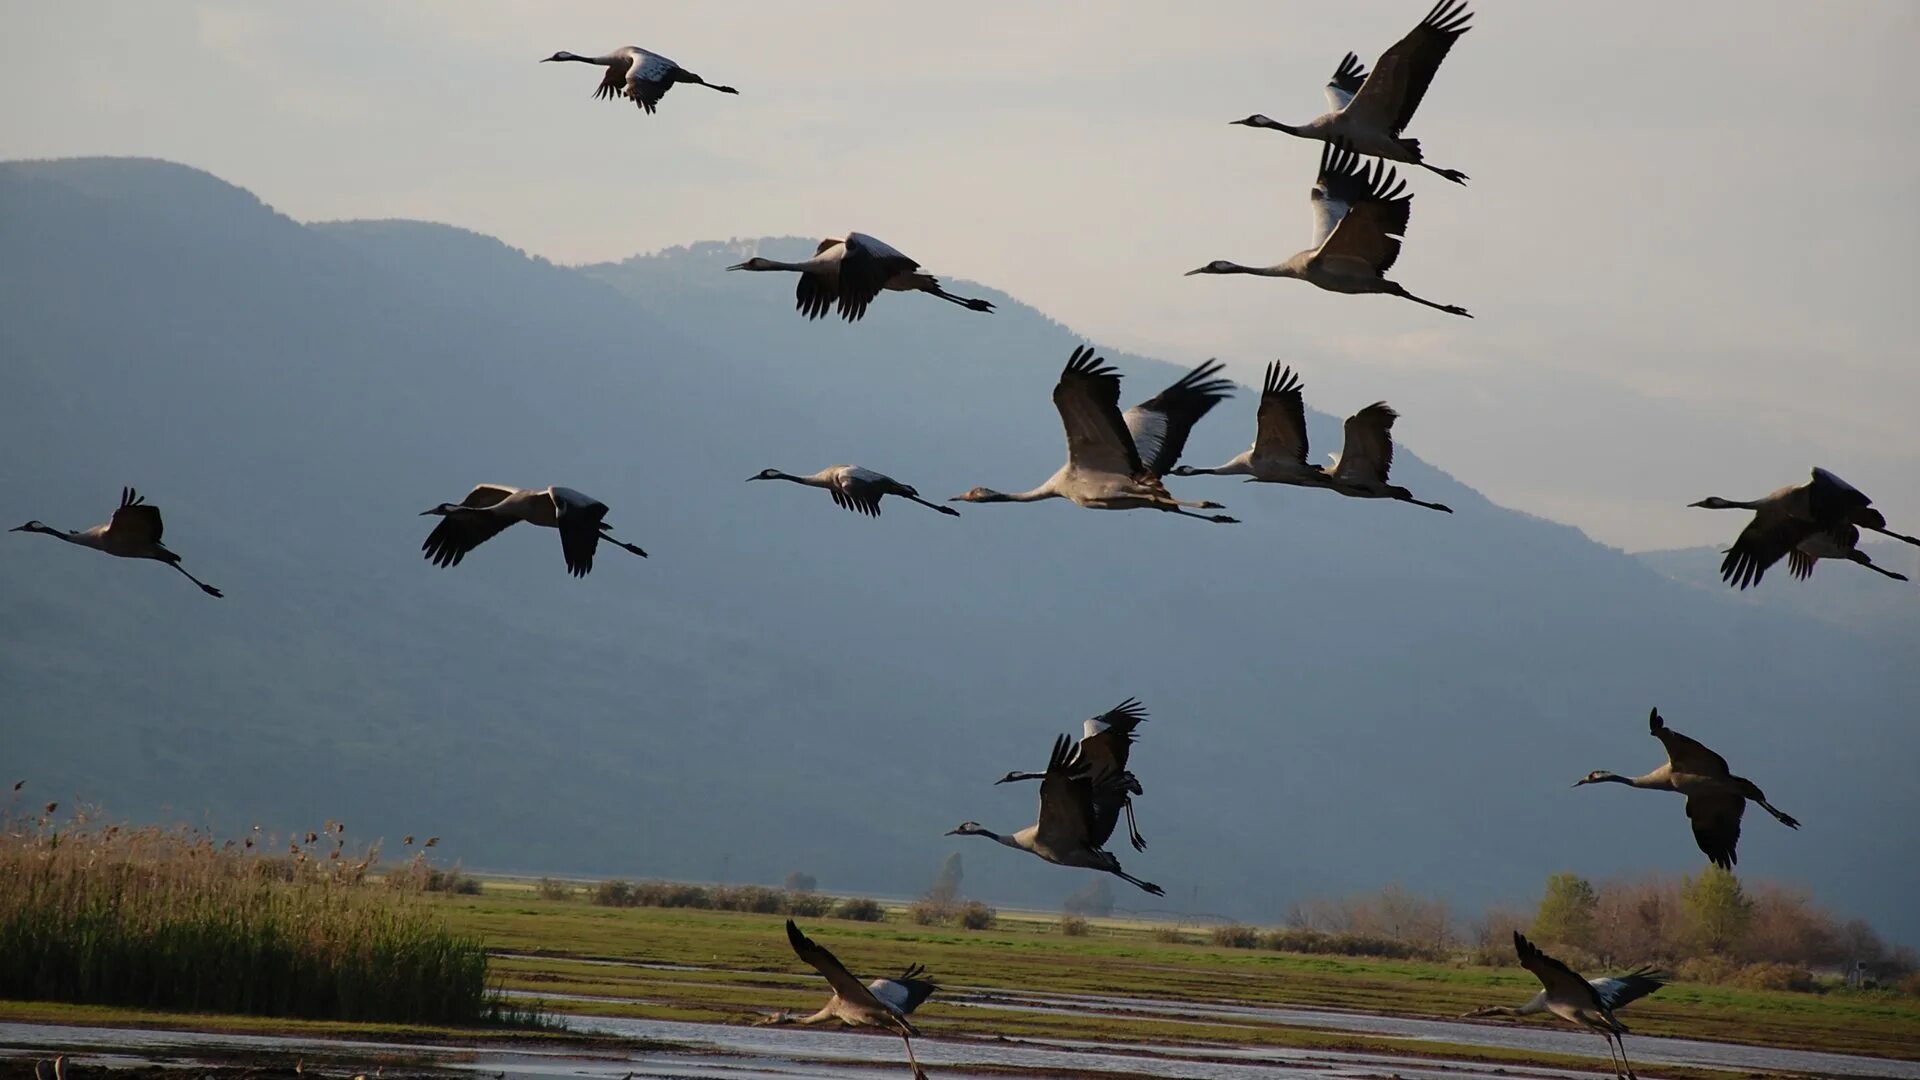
x: 1372, y: 110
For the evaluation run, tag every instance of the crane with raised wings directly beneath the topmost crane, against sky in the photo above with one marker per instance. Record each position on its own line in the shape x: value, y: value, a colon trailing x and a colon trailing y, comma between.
x: 1360, y: 216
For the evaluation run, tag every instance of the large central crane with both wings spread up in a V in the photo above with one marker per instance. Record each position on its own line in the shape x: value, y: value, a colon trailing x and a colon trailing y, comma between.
x: 1116, y: 460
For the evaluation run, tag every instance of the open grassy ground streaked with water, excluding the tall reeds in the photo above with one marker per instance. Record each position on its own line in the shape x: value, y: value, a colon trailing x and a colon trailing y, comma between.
x: 1028, y: 981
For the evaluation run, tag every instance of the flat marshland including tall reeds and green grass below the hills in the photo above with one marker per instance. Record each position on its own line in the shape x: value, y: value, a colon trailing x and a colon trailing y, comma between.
x: 224, y: 937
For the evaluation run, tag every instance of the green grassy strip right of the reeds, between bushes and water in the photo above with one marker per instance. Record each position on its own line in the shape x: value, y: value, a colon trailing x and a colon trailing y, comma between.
x: 746, y: 970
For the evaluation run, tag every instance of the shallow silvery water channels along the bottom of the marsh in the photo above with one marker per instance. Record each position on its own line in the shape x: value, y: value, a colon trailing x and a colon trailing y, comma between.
x: 796, y: 1054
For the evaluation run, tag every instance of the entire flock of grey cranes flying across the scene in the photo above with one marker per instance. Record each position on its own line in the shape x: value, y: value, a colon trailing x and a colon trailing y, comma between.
x: 1120, y: 460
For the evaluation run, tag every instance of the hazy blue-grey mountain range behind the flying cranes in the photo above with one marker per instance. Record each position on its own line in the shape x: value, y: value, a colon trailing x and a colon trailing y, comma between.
x: 1343, y: 695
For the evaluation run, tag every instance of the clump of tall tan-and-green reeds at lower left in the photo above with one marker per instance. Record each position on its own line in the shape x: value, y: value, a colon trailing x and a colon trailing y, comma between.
x: 178, y: 920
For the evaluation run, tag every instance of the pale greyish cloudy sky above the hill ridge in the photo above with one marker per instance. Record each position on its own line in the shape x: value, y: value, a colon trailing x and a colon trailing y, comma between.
x: 1689, y: 239
